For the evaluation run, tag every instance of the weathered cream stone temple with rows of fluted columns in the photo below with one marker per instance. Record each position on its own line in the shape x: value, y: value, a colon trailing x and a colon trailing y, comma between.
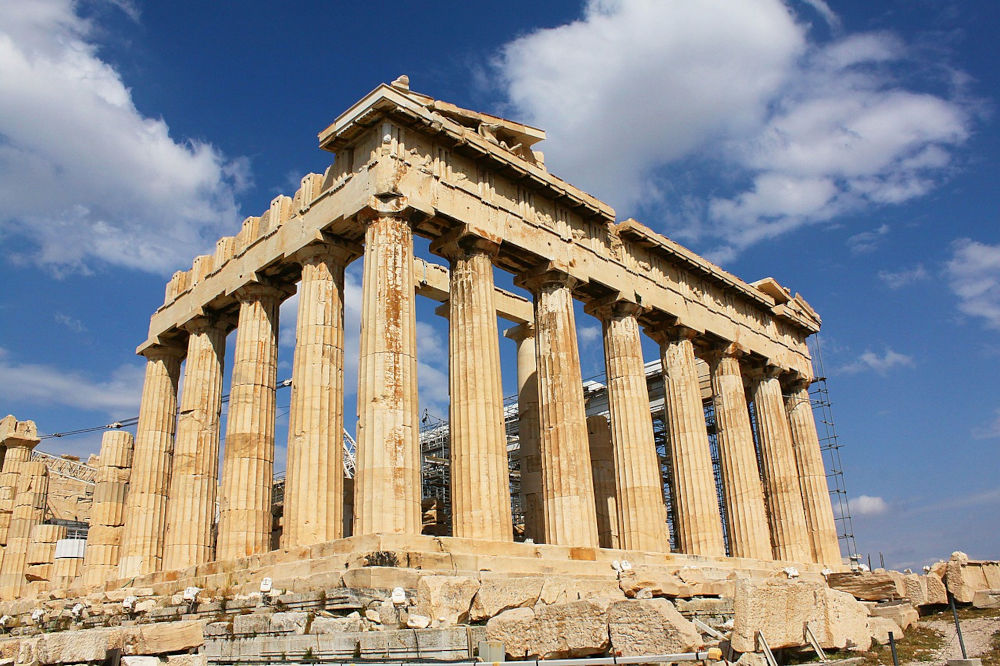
x: 168, y: 516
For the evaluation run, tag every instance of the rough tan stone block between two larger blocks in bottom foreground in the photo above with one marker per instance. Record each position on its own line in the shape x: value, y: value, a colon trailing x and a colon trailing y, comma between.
x: 652, y: 626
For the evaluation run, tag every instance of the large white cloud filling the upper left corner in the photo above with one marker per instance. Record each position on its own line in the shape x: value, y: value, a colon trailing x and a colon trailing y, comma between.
x: 85, y: 175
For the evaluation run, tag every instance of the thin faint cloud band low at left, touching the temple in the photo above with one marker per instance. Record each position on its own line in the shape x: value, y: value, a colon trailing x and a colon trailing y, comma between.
x: 41, y: 384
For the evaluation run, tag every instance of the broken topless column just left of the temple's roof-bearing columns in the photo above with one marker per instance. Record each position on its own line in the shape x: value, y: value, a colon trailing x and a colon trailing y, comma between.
x: 107, y: 513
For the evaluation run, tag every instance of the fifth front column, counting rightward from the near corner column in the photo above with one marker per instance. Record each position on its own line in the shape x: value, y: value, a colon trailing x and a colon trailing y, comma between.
x: 699, y: 525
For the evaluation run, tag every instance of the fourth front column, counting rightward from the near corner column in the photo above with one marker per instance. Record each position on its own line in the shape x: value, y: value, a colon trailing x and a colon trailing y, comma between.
x: 642, y: 515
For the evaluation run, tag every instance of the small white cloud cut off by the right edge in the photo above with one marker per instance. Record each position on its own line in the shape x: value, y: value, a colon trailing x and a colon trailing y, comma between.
x: 974, y: 276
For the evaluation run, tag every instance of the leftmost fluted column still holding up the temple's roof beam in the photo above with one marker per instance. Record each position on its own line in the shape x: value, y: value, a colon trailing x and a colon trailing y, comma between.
x: 146, y: 506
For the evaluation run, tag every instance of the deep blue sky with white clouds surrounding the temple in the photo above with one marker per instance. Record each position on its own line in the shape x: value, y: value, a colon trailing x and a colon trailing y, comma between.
x: 849, y: 149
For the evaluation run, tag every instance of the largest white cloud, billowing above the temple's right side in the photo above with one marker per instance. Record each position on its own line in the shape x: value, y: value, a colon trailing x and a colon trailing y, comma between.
x: 802, y: 131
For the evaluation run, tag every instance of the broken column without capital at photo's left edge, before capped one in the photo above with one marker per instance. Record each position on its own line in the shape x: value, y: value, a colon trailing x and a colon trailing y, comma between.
x: 29, y: 510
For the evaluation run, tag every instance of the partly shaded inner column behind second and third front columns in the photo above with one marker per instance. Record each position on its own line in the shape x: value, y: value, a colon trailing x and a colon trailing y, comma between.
x: 528, y: 431
